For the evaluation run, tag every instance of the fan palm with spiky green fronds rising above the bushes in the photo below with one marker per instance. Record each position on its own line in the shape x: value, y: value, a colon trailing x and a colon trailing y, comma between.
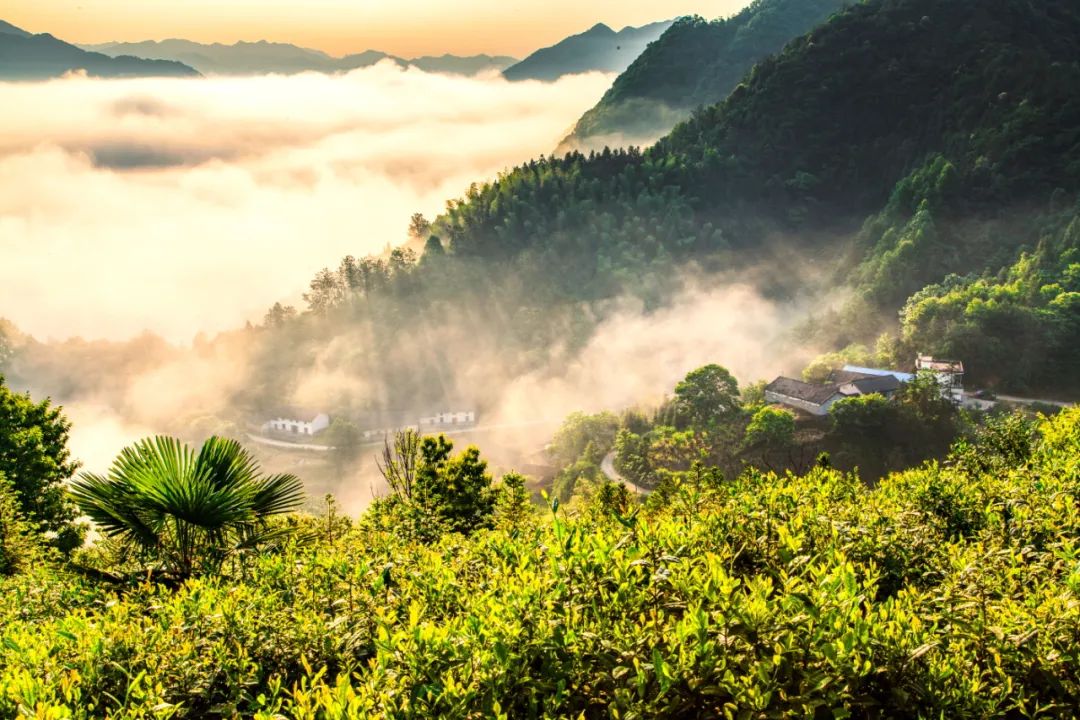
x: 186, y: 511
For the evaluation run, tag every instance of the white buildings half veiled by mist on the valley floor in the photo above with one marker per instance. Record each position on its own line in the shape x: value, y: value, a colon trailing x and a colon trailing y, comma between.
x: 373, y: 427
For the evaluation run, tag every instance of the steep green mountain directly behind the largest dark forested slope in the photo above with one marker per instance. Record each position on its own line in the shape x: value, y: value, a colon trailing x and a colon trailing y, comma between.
x: 695, y: 63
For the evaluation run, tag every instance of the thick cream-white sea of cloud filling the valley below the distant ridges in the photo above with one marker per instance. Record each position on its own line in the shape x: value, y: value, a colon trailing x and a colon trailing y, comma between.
x: 192, y: 206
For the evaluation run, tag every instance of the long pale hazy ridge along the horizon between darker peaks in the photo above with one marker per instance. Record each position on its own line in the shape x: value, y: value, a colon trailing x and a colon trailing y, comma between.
x: 263, y: 58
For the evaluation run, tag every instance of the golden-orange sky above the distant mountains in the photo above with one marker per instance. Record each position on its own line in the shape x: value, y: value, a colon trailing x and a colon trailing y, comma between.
x: 402, y: 28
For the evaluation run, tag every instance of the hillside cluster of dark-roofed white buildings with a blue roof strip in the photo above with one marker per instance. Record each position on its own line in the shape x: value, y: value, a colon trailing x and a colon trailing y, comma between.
x: 853, y: 381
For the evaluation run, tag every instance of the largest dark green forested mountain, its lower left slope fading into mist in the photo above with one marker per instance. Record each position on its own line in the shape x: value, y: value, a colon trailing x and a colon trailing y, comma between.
x: 901, y: 143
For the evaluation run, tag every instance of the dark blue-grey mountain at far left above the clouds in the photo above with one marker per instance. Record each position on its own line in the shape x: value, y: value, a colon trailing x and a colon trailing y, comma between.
x: 26, y: 57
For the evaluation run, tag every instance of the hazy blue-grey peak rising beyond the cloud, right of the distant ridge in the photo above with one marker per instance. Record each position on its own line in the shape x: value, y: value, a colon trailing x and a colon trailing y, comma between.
x: 600, y: 49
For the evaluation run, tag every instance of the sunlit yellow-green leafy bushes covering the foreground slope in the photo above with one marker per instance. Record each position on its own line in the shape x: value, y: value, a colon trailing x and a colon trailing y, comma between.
x: 949, y: 591
